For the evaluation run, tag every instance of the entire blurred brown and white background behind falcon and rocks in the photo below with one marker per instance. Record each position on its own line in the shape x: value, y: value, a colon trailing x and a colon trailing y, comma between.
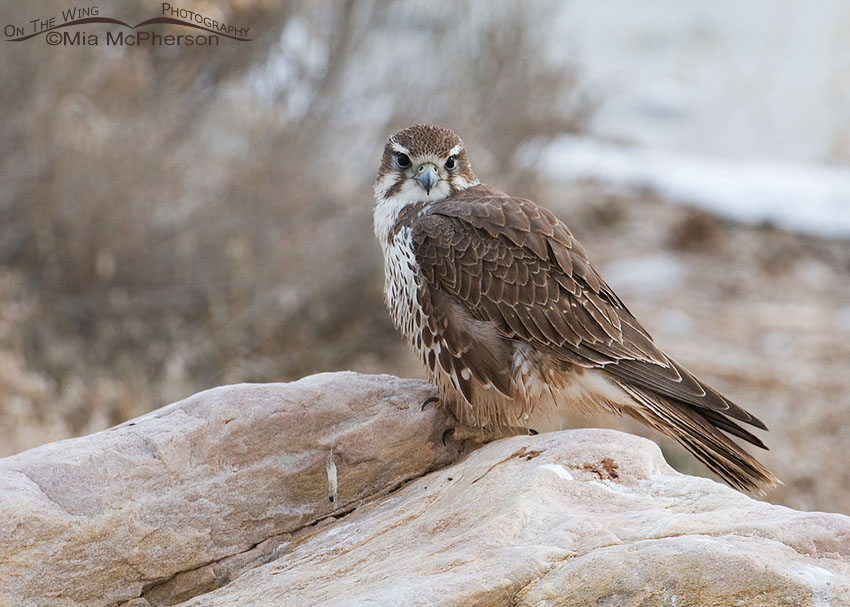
x: 177, y: 218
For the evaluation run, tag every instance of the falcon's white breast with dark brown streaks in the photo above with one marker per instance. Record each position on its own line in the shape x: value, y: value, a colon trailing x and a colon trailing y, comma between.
x: 401, y: 285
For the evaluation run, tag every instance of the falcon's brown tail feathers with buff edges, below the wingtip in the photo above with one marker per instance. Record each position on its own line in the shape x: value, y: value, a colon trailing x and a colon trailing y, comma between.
x: 702, y: 436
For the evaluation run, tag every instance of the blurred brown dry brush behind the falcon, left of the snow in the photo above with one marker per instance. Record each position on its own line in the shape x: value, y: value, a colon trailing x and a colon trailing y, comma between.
x: 175, y: 221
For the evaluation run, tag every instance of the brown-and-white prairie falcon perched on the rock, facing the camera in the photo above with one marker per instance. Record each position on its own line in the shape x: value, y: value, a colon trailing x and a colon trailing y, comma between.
x: 514, y: 324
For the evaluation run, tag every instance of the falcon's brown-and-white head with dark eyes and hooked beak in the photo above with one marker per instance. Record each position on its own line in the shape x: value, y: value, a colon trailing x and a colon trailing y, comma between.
x: 423, y: 163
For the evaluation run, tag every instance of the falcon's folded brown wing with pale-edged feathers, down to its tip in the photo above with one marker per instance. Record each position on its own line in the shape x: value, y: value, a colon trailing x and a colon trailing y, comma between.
x: 508, y: 261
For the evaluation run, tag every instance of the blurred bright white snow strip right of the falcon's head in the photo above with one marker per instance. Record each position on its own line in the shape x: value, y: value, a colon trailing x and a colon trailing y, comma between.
x: 807, y: 198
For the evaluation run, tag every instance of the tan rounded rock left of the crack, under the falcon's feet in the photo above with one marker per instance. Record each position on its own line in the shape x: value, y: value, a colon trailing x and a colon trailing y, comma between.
x: 178, y: 501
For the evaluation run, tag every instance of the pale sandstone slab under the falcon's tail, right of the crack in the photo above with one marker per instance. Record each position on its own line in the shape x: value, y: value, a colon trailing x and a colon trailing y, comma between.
x: 581, y: 517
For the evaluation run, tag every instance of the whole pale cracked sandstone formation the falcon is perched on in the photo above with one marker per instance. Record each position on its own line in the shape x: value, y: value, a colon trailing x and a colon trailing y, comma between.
x: 222, y: 499
